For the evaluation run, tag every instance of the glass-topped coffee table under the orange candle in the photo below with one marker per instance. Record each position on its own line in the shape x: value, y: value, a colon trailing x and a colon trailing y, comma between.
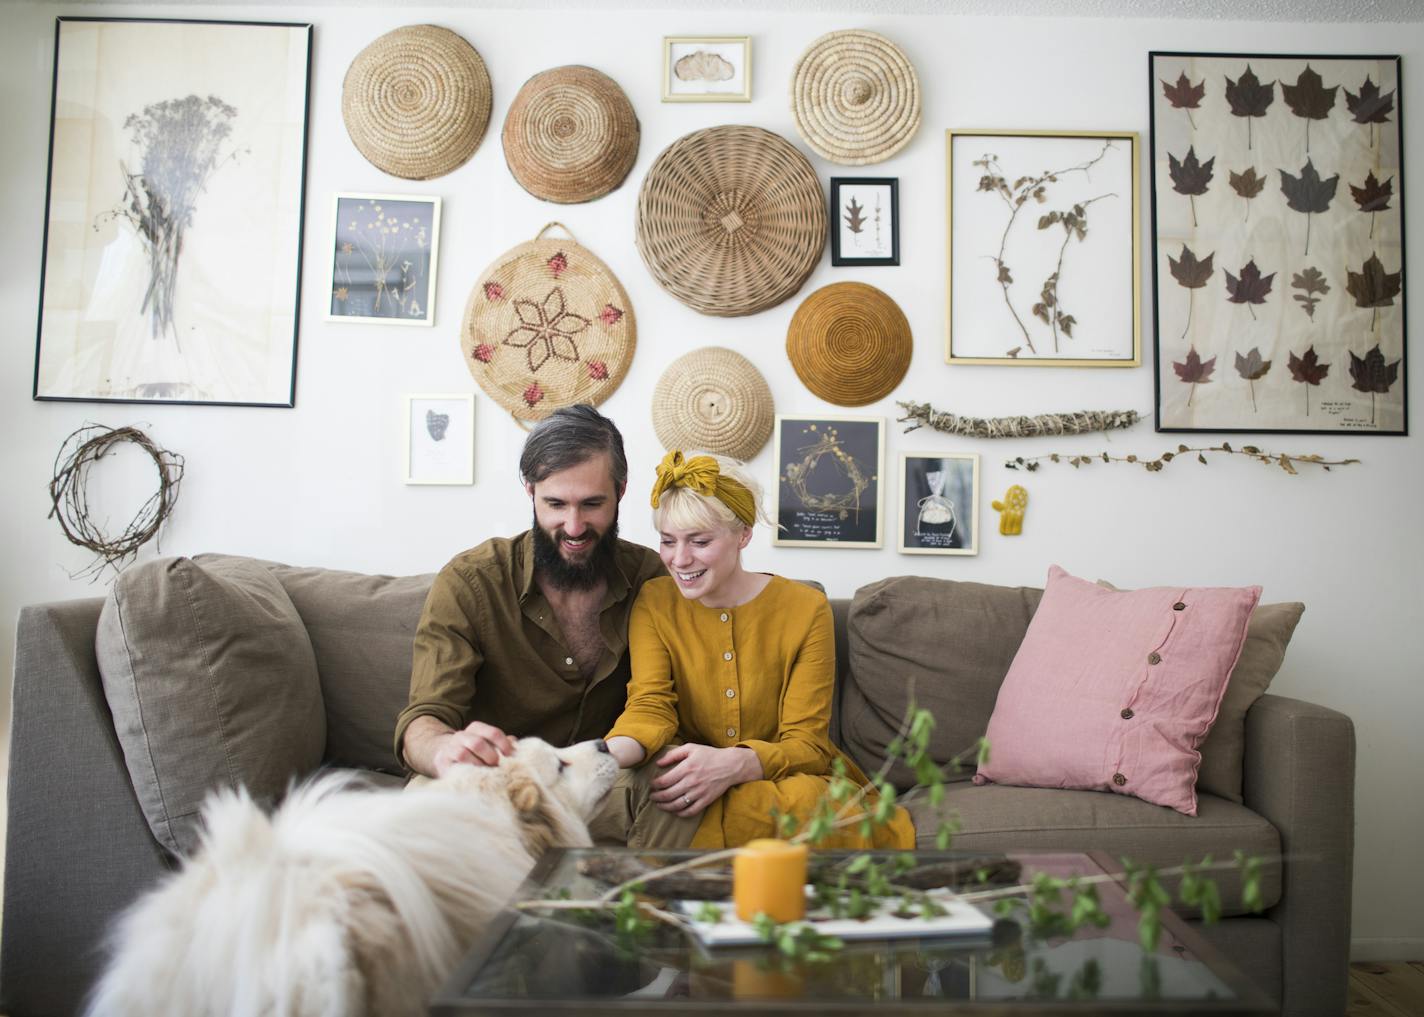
x: 577, y: 964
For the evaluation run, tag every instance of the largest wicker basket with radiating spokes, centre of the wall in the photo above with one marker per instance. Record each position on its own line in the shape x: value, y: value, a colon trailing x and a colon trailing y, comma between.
x: 731, y: 220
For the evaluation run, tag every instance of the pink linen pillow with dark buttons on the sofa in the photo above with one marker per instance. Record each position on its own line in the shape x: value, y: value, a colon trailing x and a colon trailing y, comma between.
x: 1114, y: 690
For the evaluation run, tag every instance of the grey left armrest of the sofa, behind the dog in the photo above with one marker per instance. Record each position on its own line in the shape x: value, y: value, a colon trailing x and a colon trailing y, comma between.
x: 78, y: 847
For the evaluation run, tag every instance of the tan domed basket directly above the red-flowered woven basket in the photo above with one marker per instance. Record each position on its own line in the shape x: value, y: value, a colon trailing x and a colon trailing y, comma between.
x: 570, y: 136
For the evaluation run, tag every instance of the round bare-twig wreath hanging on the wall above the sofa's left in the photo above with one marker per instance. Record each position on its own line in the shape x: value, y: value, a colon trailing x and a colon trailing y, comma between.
x: 69, y: 495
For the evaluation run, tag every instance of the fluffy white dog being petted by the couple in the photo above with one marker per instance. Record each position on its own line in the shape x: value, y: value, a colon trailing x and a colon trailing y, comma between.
x: 347, y: 902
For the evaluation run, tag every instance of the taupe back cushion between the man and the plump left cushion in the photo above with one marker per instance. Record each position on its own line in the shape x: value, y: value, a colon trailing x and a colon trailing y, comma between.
x: 362, y: 629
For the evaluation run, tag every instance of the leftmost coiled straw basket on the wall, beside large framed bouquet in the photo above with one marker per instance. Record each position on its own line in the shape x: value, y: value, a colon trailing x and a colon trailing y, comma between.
x: 417, y: 102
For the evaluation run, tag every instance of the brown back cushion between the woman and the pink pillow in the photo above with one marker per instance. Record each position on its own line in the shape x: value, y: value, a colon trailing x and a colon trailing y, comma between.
x: 945, y: 645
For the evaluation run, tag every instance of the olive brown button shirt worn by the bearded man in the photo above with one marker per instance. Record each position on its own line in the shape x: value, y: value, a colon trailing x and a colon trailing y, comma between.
x: 489, y: 647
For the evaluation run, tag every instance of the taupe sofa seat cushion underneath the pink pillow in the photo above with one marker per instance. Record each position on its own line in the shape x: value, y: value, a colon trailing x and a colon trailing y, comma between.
x: 999, y: 818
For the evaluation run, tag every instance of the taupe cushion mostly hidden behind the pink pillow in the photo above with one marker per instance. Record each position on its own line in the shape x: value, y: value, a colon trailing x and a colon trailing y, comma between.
x: 1264, y: 653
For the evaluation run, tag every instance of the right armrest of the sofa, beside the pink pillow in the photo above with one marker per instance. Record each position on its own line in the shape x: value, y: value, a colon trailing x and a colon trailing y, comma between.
x: 1299, y: 774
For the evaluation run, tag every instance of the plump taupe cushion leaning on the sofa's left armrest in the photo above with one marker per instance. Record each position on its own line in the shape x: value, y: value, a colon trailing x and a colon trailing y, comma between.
x: 213, y: 684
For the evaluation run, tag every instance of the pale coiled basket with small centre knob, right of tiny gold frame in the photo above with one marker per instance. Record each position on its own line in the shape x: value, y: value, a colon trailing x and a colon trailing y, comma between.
x: 857, y: 98
